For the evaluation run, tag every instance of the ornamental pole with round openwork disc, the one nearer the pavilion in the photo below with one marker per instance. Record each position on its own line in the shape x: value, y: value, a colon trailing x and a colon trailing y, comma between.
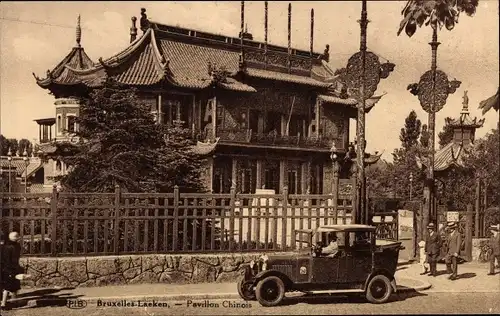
x: 361, y: 76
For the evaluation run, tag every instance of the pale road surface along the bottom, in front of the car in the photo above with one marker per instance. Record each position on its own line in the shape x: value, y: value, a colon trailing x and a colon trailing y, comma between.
x: 435, y: 303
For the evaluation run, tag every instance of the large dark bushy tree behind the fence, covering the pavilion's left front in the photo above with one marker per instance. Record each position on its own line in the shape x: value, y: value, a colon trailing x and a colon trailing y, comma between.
x: 120, y: 143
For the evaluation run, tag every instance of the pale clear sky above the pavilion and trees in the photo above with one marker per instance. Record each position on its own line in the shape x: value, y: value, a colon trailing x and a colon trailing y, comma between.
x: 35, y: 36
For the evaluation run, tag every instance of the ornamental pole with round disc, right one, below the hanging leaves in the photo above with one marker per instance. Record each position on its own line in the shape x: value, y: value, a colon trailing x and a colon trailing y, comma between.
x: 432, y: 91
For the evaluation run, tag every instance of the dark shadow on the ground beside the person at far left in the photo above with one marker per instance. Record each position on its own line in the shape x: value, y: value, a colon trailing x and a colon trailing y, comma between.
x: 42, y: 298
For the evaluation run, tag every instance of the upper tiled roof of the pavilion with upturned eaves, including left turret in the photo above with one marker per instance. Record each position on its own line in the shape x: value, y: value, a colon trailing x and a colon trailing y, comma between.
x: 184, y: 58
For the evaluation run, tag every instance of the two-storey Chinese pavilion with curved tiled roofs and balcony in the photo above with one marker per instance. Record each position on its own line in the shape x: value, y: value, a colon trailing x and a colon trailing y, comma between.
x: 275, y: 116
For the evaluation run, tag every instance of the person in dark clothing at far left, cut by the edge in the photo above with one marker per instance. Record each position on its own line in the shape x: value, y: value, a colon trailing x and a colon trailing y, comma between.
x: 11, y: 267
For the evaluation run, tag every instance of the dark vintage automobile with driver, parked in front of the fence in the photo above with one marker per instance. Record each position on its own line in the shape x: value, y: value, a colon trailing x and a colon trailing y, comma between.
x: 362, y: 266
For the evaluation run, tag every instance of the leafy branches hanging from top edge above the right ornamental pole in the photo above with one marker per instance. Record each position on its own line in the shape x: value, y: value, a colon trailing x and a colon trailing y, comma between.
x: 436, y: 13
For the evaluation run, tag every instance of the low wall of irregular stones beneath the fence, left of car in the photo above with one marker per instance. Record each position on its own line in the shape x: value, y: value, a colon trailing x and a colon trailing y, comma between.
x: 134, y: 269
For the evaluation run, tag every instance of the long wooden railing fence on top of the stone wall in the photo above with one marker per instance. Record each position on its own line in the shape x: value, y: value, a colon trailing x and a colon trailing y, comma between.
x: 75, y: 224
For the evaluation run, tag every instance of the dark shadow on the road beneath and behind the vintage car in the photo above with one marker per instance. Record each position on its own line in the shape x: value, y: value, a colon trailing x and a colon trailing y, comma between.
x: 343, y: 299
